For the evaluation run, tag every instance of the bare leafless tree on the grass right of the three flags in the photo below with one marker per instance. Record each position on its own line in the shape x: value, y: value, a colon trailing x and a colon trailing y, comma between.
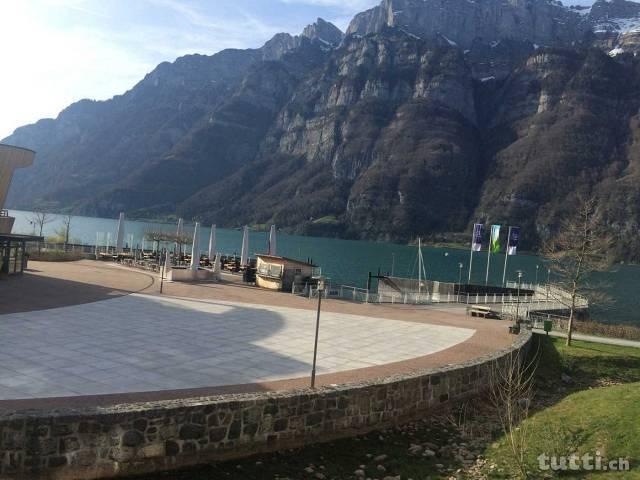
x: 580, y: 247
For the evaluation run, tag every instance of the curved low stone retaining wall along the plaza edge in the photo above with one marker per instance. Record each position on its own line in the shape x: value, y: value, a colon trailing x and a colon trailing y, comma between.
x: 142, y: 438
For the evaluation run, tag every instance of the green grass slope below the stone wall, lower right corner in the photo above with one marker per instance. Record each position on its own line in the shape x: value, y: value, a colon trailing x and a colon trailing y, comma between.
x: 587, y: 419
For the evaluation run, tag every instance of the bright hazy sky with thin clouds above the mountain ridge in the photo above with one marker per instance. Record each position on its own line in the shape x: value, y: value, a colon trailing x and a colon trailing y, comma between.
x: 55, y: 52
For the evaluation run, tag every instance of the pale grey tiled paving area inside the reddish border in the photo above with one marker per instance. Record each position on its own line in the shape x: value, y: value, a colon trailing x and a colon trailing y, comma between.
x: 143, y: 343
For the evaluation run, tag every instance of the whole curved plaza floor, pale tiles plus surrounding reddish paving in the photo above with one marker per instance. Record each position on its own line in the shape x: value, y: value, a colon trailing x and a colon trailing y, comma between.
x: 162, y: 343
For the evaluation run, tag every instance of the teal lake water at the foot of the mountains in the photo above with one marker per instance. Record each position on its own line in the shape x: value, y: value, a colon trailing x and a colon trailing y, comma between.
x: 349, y: 261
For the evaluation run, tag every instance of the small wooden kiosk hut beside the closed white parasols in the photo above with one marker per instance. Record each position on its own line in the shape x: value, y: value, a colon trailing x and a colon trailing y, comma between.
x: 281, y: 273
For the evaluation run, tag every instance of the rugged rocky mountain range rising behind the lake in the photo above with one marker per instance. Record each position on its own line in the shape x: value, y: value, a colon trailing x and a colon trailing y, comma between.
x: 425, y: 117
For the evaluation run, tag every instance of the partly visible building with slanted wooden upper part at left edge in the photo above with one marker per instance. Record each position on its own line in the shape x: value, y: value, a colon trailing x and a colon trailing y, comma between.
x: 12, y: 246
